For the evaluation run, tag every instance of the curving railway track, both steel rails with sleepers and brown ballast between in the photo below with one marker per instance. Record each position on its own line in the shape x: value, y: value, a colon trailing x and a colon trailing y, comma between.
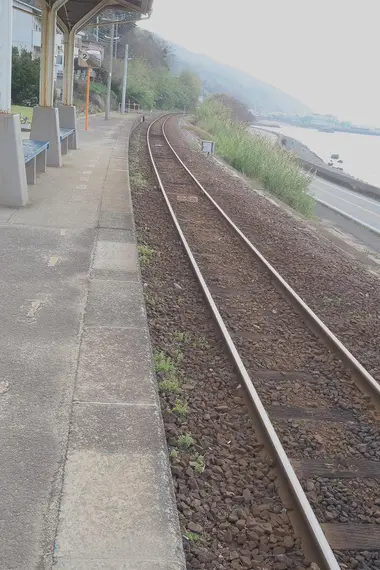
x: 299, y: 378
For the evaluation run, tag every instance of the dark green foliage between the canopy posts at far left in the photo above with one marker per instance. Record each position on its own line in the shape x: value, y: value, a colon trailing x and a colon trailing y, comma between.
x: 25, y: 78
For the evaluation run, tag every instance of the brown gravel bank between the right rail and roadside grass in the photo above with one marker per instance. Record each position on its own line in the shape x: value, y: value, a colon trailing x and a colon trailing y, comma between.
x: 338, y: 288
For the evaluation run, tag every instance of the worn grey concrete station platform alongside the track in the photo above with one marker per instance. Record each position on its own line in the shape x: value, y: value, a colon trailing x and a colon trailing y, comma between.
x: 85, y: 477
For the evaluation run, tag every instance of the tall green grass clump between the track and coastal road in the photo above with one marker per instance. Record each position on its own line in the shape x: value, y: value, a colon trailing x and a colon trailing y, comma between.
x: 257, y: 157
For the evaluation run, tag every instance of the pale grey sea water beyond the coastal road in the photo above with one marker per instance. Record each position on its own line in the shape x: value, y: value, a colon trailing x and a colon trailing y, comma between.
x: 360, y: 153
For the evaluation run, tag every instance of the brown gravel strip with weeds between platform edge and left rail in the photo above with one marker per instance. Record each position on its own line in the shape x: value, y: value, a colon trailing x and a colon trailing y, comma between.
x: 230, y: 512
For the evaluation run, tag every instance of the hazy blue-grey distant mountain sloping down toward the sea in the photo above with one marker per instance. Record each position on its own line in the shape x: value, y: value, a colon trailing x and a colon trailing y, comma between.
x: 219, y: 78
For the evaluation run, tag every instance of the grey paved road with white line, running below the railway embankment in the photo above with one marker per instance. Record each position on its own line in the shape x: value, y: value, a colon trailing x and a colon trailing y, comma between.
x: 363, y: 208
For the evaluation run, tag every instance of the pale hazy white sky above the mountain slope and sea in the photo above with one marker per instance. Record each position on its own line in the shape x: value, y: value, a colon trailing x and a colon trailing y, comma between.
x: 325, y: 52
